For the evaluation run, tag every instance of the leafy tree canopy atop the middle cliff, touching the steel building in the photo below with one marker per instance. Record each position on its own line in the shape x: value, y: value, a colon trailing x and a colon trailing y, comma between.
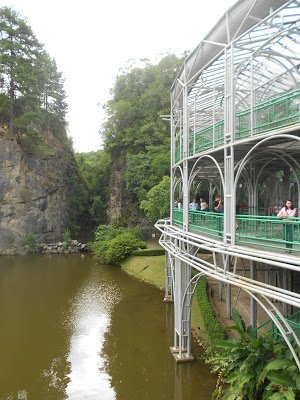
x: 134, y: 129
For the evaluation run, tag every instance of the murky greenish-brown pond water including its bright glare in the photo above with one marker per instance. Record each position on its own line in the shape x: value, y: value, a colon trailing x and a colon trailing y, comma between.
x: 72, y: 329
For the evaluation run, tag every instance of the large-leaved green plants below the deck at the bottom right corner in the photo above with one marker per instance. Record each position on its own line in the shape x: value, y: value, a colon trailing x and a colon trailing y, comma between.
x: 254, y: 367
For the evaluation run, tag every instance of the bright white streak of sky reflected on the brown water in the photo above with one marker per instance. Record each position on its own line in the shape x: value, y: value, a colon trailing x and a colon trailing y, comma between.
x: 90, y: 320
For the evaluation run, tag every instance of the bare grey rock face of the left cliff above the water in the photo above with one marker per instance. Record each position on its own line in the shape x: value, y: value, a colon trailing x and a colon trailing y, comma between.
x: 33, y: 195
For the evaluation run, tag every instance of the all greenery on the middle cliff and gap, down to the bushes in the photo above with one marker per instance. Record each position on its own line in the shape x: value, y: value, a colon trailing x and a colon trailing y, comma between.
x: 136, y: 151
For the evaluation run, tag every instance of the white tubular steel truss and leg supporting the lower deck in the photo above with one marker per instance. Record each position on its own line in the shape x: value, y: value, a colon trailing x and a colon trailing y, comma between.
x: 182, y: 249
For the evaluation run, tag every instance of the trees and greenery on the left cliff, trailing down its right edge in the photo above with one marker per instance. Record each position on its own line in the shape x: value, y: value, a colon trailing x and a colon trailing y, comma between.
x: 33, y: 108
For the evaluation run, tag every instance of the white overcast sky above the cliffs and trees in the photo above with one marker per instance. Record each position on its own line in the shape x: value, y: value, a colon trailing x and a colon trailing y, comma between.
x: 92, y: 40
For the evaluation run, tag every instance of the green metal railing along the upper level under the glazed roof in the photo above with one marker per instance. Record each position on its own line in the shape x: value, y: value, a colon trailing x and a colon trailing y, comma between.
x: 277, y: 112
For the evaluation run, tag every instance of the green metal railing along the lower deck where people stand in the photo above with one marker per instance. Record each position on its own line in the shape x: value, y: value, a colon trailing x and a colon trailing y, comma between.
x: 253, y: 230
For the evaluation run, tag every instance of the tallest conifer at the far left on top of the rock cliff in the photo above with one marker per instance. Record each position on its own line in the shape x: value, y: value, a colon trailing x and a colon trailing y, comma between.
x: 19, y: 64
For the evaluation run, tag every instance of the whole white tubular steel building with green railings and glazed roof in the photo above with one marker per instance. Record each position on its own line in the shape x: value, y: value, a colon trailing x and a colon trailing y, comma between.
x: 235, y: 131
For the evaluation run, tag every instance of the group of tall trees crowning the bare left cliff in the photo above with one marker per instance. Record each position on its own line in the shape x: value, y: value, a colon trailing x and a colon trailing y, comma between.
x: 31, y: 89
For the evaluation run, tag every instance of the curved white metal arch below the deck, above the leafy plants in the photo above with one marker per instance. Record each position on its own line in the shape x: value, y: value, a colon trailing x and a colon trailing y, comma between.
x: 278, y: 325
